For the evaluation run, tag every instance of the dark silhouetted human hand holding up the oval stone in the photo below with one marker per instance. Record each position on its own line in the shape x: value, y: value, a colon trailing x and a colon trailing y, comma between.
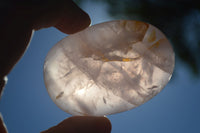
x: 19, y: 21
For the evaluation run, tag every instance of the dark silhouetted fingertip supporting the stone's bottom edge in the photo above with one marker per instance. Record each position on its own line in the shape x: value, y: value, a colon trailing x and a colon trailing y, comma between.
x: 82, y: 124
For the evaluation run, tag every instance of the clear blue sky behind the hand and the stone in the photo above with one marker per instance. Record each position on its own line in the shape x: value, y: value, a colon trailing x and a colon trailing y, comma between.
x: 27, y: 108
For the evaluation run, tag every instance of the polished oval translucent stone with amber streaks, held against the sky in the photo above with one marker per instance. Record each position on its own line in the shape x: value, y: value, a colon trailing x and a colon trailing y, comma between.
x: 108, y: 68
